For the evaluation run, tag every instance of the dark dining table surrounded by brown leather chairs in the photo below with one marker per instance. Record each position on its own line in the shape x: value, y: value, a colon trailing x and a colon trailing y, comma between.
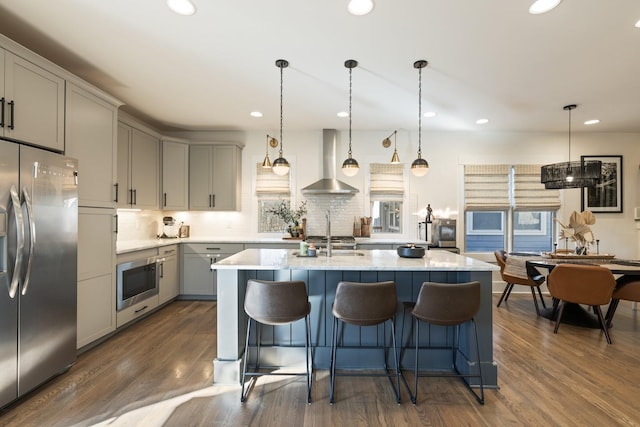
x: 575, y: 314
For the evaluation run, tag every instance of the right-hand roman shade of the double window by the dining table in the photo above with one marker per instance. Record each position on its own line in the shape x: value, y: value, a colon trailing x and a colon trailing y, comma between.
x: 529, y: 193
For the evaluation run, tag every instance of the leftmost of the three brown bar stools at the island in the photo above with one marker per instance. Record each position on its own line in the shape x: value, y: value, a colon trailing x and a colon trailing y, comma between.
x: 275, y: 303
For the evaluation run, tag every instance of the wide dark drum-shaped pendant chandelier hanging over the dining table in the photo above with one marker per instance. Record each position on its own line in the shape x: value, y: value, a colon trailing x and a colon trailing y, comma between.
x: 577, y: 174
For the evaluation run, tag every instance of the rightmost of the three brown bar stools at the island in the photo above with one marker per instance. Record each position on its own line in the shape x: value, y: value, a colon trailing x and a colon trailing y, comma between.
x: 448, y: 304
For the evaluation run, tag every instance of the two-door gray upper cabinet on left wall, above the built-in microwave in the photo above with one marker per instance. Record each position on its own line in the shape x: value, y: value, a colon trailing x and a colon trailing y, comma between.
x: 138, y: 168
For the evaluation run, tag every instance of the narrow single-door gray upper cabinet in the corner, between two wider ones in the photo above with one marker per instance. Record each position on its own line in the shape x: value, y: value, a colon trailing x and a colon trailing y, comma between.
x: 175, y: 175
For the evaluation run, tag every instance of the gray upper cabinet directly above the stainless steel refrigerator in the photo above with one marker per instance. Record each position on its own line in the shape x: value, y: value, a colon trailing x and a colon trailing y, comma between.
x: 32, y: 100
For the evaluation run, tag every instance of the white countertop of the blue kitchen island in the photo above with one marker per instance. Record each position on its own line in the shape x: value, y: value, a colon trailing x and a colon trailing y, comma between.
x: 287, y: 259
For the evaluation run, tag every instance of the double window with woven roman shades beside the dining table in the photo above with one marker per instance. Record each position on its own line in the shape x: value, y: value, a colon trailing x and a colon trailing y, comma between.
x: 506, y: 207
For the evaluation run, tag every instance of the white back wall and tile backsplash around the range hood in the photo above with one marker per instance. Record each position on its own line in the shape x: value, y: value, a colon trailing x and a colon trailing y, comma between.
x: 446, y: 152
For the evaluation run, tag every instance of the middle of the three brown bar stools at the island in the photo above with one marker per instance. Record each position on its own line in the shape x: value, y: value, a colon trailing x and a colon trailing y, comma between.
x: 365, y: 304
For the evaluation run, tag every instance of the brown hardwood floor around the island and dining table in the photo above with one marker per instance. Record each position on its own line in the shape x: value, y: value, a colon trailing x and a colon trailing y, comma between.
x: 159, y: 372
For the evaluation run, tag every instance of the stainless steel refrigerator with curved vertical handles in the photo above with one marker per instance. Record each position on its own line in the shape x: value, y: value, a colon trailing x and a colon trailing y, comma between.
x: 38, y: 259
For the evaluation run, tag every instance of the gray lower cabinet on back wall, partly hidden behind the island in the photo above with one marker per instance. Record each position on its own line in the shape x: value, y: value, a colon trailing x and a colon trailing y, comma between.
x: 198, y: 268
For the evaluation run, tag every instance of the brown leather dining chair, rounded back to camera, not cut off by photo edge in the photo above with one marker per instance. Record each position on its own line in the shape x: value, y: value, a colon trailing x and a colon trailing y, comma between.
x: 581, y: 284
